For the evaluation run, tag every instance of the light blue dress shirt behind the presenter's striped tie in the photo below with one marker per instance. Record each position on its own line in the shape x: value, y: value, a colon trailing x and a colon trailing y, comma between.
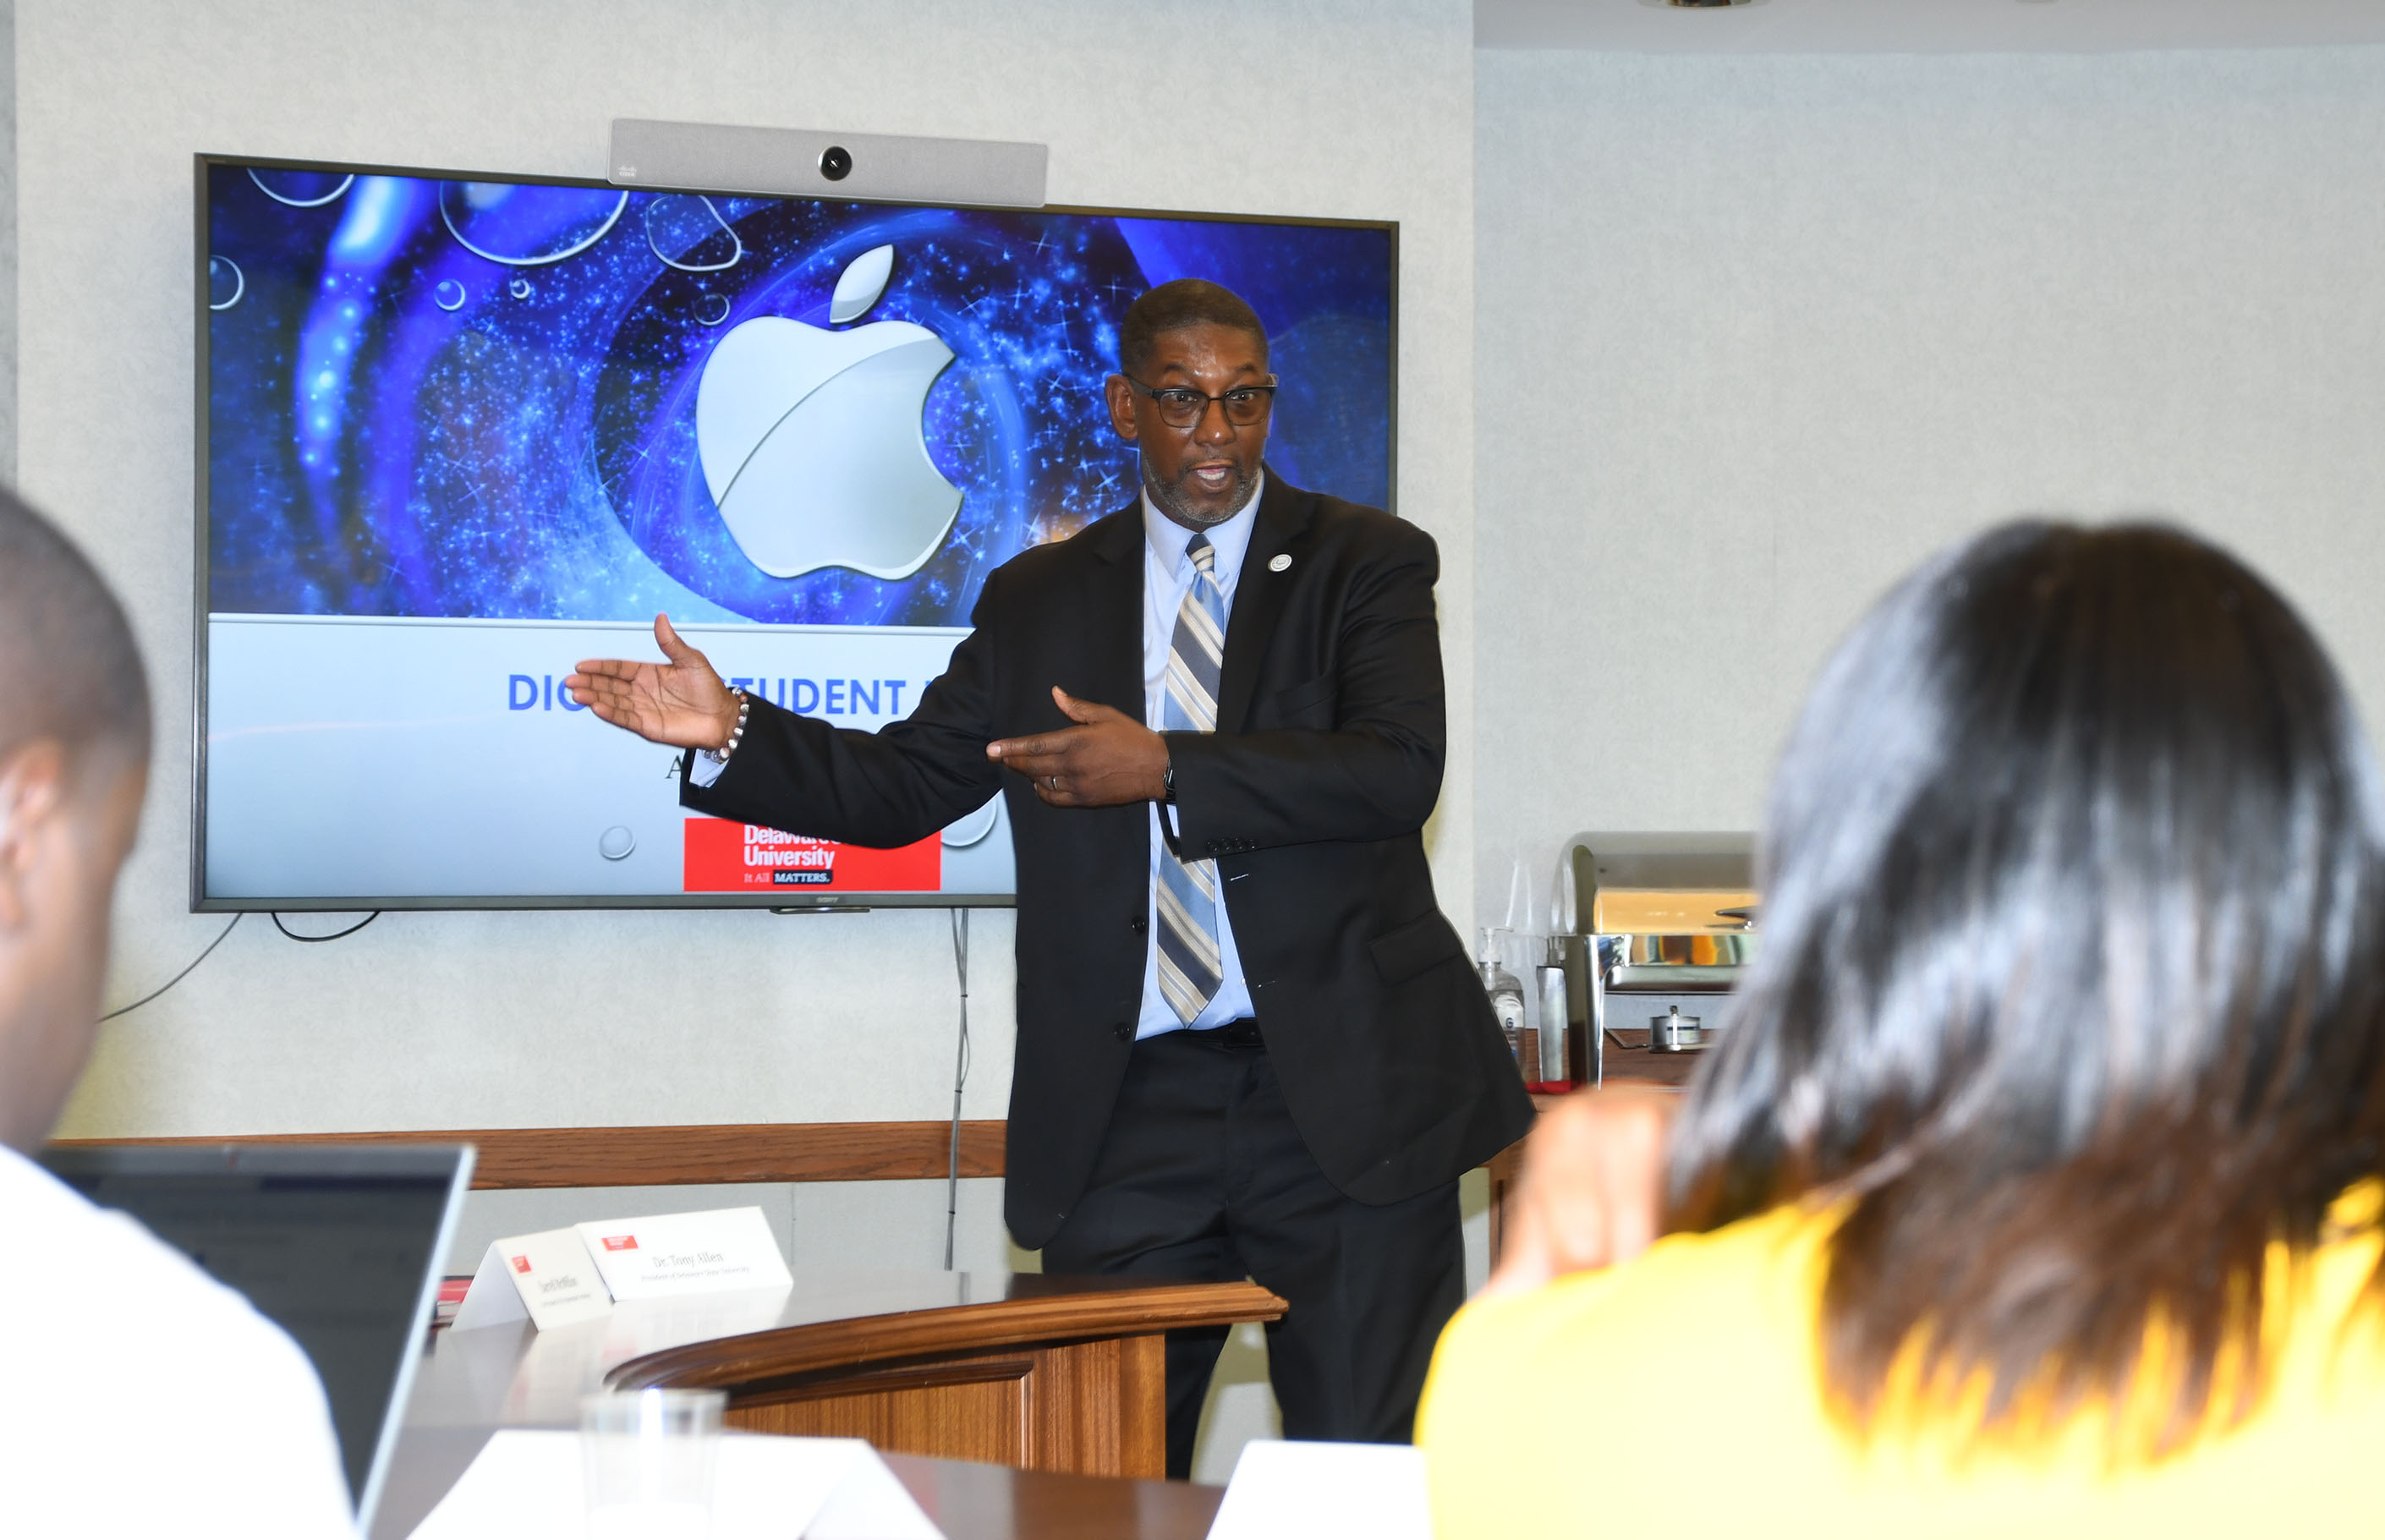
x: 1167, y: 578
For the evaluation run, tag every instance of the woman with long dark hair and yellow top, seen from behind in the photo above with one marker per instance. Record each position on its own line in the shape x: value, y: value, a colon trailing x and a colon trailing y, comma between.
x: 2036, y: 1184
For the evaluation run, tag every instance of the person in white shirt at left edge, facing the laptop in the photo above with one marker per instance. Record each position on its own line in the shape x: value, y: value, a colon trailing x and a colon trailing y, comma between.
x: 137, y: 1396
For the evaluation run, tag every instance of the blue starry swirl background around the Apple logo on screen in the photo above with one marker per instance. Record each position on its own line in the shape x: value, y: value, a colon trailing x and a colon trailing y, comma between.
x: 478, y: 399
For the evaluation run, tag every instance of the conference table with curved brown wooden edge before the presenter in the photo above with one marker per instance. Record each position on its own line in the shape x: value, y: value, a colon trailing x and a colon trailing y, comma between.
x: 1060, y: 1379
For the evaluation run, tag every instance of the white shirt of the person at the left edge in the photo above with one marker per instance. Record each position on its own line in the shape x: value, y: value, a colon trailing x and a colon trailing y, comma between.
x: 147, y: 1398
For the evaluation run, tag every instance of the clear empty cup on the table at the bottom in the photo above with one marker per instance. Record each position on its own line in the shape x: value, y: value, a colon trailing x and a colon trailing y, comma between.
x: 650, y: 1463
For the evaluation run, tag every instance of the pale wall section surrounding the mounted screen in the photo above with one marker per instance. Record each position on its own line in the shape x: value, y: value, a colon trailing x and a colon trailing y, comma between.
x: 1346, y: 108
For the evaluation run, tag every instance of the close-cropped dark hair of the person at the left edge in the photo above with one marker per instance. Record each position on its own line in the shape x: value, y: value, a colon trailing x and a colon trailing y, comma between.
x: 68, y: 662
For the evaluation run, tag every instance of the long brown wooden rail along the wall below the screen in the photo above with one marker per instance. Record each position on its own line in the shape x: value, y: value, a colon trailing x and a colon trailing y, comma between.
x: 681, y: 1155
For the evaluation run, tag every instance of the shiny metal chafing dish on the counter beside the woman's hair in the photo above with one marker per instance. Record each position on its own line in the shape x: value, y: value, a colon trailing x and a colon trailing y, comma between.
x: 1652, y: 929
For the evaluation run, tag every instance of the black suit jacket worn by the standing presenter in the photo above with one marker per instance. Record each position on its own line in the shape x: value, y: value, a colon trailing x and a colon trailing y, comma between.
x: 1311, y: 797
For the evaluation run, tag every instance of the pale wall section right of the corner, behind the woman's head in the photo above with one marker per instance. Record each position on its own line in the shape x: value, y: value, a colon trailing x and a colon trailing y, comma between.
x: 1759, y: 333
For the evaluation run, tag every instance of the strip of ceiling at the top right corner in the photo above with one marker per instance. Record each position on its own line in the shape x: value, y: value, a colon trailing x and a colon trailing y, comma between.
x: 1926, y: 25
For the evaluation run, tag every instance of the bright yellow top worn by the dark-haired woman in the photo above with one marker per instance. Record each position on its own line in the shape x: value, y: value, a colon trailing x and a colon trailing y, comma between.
x: 1680, y: 1396
